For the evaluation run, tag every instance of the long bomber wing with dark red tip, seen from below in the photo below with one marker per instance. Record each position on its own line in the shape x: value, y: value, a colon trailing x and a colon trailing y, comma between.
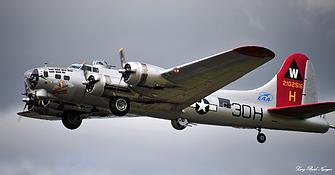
x: 200, y: 78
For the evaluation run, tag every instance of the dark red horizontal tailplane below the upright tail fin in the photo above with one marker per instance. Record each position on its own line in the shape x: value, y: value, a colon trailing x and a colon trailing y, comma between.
x: 305, y: 110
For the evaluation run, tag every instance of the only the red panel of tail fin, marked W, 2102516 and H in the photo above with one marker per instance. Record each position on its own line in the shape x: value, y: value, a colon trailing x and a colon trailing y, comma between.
x: 290, y: 80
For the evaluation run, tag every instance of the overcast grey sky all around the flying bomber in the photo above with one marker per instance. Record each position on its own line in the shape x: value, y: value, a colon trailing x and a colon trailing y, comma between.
x: 164, y: 33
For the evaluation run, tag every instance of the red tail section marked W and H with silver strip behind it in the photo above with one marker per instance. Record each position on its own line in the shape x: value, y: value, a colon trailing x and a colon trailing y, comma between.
x: 296, y: 82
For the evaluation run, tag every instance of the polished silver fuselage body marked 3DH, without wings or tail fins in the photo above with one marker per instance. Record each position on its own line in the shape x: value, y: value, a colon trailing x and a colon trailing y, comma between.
x: 242, y: 110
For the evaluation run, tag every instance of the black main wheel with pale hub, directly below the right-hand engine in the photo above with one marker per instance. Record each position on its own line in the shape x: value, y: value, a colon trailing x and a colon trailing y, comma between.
x: 119, y: 106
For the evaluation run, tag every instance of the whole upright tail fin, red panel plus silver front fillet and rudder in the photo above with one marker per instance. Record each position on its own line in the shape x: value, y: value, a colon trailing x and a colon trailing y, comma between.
x: 293, y: 85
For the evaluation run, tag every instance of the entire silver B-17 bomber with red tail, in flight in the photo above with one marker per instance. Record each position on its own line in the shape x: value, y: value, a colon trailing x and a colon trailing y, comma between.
x: 186, y: 95
